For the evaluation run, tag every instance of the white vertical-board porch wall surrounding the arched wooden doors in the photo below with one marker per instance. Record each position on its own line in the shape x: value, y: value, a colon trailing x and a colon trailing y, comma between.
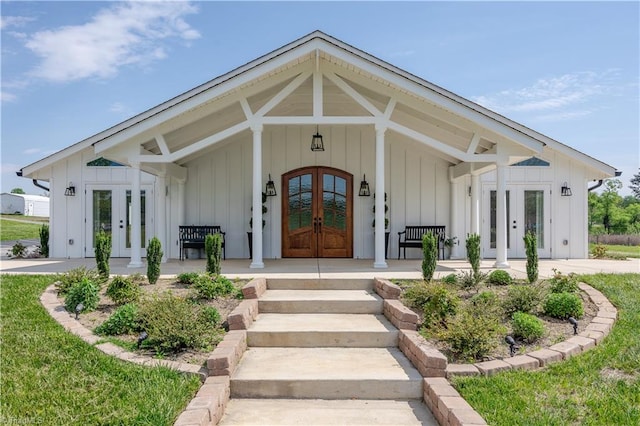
x: 219, y: 184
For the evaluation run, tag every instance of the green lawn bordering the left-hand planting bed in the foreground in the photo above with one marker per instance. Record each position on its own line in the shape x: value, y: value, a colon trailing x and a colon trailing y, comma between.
x: 52, y: 377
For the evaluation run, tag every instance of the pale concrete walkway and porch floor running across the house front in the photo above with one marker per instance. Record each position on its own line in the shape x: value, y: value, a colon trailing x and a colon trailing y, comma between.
x: 321, y: 268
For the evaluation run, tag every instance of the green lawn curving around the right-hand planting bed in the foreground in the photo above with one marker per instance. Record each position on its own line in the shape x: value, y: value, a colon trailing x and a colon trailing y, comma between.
x: 599, y: 387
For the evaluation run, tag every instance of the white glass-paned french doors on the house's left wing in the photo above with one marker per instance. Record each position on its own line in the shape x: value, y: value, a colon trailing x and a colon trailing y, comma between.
x: 109, y: 210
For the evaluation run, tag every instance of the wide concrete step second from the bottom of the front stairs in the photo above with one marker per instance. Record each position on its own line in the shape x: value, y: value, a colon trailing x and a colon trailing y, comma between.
x: 326, y: 373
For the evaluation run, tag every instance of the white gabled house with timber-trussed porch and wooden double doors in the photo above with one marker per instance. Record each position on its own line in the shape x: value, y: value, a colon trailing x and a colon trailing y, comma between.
x: 206, y: 156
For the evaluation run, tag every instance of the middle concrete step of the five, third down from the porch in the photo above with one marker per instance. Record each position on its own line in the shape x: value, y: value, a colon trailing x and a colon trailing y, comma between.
x: 318, y: 330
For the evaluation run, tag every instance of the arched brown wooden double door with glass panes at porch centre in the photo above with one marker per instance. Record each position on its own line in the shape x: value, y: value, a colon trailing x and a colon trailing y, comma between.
x: 317, y: 213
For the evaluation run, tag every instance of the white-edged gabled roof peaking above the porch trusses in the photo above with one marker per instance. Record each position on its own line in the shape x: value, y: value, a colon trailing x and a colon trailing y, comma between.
x: 315, y: 41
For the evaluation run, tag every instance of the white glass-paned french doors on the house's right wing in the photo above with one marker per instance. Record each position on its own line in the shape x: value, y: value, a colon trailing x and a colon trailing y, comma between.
x: 528, y: 209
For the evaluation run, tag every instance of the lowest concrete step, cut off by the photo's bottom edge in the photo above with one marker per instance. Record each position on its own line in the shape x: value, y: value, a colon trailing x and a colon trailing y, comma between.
x: 314, y: 412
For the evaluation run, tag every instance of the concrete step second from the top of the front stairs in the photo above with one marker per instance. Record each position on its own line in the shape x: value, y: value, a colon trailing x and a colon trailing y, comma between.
x: 320, y: 301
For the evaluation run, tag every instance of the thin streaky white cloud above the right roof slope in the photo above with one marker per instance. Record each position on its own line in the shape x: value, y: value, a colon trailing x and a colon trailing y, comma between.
x: 561, y: 98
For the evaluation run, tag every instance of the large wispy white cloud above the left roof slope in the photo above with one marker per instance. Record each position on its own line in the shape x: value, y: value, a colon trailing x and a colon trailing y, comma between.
x: 124, y: 34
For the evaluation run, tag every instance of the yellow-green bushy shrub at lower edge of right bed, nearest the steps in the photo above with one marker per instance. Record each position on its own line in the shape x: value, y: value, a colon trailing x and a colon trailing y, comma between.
x: 471, y: 334
